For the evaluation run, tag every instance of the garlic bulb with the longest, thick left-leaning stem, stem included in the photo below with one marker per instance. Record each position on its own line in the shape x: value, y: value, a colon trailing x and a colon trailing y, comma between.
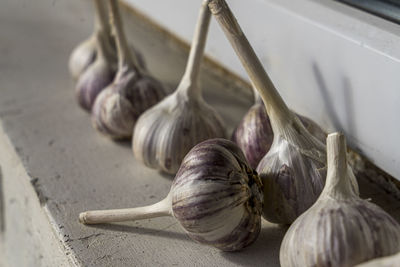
x: 294, y: 169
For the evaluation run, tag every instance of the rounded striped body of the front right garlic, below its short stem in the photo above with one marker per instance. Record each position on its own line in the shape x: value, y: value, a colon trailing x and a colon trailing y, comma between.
x: 341, y: 233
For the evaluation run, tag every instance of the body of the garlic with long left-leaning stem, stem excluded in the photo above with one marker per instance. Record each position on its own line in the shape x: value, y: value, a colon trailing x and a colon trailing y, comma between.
x: 291, y: 183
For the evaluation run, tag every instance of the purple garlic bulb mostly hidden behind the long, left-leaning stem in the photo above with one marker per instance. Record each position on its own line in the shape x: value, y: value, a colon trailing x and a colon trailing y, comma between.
x: 254, y: 133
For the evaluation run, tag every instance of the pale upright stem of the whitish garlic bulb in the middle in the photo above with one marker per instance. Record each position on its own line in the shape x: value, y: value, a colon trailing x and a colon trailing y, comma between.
x: 190, y: 80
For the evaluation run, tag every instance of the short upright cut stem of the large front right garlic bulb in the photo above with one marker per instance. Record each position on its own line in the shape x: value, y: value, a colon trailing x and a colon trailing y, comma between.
x: 338, y: 184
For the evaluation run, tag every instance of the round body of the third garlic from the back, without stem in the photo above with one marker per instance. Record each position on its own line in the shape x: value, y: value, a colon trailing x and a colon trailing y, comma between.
x: 118, y: 107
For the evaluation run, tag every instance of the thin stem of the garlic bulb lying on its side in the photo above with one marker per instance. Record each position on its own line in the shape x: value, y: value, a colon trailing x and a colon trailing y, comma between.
x: 159, y: 209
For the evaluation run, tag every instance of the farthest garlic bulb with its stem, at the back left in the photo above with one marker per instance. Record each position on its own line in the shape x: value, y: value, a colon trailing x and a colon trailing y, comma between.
x: 85, y: 53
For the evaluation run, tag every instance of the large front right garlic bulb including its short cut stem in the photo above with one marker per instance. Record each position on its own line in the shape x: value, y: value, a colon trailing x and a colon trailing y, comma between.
x: 340, y: 229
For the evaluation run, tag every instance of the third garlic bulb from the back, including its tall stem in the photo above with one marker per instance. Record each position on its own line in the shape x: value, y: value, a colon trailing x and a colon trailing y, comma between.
x: 133, y: 91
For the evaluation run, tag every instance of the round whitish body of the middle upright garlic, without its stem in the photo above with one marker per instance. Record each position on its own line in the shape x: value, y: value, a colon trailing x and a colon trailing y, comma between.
x: 164, y: 134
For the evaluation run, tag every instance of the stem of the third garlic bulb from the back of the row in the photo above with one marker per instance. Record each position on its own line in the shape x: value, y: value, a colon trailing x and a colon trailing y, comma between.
x: 125, y: 57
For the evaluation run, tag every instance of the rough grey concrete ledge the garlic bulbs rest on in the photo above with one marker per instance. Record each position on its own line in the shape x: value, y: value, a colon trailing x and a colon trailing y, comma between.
x: 55, y: 165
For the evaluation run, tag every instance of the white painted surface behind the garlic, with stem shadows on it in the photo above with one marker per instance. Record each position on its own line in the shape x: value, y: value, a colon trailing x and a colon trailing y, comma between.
x: 338, y: 65
